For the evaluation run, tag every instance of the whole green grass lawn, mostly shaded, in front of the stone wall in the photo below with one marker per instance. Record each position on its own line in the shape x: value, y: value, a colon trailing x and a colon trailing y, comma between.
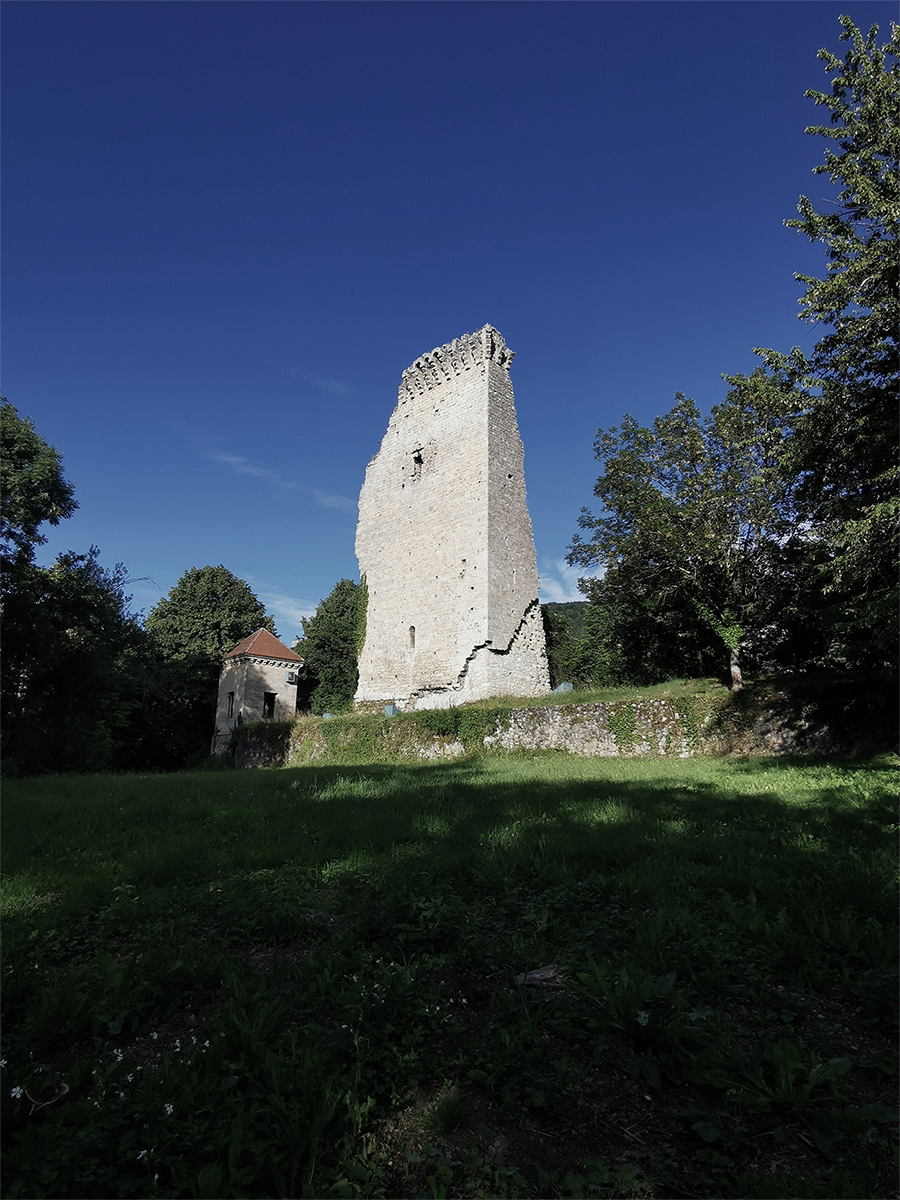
x: 326, y: 981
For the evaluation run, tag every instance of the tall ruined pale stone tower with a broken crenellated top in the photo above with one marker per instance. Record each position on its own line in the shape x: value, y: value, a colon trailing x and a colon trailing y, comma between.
x: 445, y: 539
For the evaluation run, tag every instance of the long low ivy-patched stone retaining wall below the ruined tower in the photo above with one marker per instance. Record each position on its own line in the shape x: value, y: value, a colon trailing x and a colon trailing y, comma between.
x: 812, y: 719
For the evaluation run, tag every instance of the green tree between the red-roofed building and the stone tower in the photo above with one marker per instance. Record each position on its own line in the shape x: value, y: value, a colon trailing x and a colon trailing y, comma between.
x: 332, y: 645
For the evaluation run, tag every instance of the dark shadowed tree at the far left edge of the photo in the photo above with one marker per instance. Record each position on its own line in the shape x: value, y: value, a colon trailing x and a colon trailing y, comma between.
x: 69, y: 635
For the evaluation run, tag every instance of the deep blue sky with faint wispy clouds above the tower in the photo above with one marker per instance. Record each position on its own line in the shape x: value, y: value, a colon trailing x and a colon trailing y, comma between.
x: 229, y: 227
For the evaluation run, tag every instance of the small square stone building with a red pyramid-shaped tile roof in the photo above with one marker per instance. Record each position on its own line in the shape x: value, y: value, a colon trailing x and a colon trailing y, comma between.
x: 259, y: 683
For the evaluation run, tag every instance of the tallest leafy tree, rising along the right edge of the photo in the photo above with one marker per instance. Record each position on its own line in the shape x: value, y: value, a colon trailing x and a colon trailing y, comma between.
x: 844, y: 449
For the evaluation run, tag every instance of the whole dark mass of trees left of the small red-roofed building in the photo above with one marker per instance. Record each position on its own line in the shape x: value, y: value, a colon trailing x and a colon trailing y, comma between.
x: 86, y: 686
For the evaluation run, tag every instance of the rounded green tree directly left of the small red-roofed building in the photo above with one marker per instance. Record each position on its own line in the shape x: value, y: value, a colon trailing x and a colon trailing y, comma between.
x: 191, y: 631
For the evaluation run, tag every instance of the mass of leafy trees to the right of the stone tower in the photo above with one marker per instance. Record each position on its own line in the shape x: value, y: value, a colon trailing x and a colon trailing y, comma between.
x: 766, y: 533
